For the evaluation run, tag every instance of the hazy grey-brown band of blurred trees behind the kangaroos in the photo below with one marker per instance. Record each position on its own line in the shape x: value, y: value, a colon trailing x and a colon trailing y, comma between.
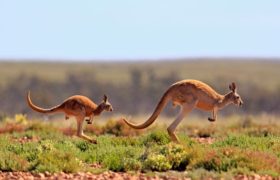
x: 137, y: 96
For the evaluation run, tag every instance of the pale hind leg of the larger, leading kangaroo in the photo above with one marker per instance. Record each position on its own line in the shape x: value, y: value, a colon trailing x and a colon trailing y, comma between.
x: 185, y: 109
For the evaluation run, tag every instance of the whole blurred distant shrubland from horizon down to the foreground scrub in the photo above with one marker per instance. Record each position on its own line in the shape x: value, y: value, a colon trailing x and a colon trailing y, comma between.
x: 135, y: 88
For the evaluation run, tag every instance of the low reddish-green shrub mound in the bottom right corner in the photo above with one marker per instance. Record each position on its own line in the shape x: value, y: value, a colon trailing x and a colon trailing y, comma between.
x: 229, y: 159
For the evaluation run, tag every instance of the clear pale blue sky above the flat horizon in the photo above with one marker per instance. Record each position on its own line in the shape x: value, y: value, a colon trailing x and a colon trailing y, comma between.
x: 130, y: 29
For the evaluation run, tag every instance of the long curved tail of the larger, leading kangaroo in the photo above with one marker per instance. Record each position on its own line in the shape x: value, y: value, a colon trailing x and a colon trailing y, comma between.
x: 162, y: 103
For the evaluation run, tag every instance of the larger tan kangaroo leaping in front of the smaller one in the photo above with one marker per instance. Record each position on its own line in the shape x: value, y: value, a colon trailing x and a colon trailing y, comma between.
x: 190, y: 94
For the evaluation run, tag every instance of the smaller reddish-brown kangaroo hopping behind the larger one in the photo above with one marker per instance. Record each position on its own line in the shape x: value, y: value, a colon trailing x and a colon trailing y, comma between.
x: 81, y: 107
